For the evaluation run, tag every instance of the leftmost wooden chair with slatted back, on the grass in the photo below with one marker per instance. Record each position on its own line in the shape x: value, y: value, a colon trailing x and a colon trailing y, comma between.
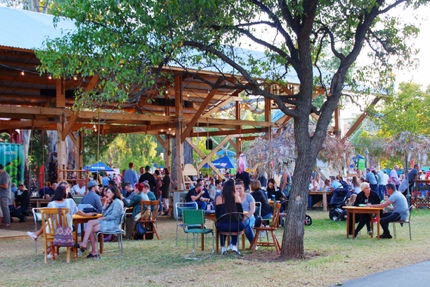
x: 50, y: 222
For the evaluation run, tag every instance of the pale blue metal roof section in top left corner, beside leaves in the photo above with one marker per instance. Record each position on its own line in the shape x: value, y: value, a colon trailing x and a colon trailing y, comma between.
x: 27, y: 30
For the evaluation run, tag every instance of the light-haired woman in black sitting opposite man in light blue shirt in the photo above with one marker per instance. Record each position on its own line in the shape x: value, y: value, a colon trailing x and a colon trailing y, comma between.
x: 365, y: 197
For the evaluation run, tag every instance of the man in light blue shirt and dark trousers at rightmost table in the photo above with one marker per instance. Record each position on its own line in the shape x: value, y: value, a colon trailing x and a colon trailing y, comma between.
x: 400, y: 212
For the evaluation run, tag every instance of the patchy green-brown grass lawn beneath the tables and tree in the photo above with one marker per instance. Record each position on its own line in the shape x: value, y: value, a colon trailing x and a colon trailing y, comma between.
x: 332, y: 259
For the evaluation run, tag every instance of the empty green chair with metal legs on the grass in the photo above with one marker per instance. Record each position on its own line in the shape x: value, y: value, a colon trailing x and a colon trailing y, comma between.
x: 191, y: 219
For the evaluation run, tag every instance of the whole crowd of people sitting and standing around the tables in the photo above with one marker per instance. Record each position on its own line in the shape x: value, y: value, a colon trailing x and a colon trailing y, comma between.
x: 239, y: 193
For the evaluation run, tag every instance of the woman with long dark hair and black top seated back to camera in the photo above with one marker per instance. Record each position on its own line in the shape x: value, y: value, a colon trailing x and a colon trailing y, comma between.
x: 228, y: 202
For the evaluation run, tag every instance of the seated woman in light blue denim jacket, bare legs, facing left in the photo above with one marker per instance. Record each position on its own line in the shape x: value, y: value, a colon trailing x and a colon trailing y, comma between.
x: 112, y: 211
